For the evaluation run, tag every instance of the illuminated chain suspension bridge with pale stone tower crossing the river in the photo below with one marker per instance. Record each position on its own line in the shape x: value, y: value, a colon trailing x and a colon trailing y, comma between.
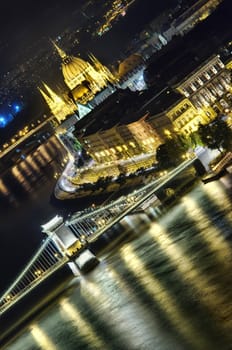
x: 67, y: 241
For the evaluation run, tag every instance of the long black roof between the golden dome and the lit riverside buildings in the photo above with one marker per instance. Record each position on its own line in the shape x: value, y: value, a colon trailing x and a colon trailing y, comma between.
x: 124, y: 107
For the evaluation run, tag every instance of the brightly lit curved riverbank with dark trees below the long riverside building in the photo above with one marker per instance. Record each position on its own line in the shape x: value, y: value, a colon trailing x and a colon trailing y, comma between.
x: 103, y: 178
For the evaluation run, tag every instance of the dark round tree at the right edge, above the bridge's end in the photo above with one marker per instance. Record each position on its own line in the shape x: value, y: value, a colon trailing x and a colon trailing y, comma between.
x: 216, y: 135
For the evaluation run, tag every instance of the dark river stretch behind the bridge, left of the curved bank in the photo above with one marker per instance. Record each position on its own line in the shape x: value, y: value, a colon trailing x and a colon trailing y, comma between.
x: 25, y: 204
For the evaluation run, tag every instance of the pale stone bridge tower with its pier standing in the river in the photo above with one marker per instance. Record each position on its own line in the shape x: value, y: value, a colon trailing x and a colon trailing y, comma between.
x: 81, y: 259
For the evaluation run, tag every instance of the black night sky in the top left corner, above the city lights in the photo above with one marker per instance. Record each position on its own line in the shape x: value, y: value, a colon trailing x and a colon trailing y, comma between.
x: 24, y: 22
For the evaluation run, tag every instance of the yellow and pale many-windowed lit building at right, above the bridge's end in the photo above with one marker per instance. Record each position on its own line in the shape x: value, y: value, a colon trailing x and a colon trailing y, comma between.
x: 204, y: 95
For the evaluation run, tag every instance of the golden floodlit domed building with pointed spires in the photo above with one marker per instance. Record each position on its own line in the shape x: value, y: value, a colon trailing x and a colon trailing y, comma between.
x: 83, y: 79
